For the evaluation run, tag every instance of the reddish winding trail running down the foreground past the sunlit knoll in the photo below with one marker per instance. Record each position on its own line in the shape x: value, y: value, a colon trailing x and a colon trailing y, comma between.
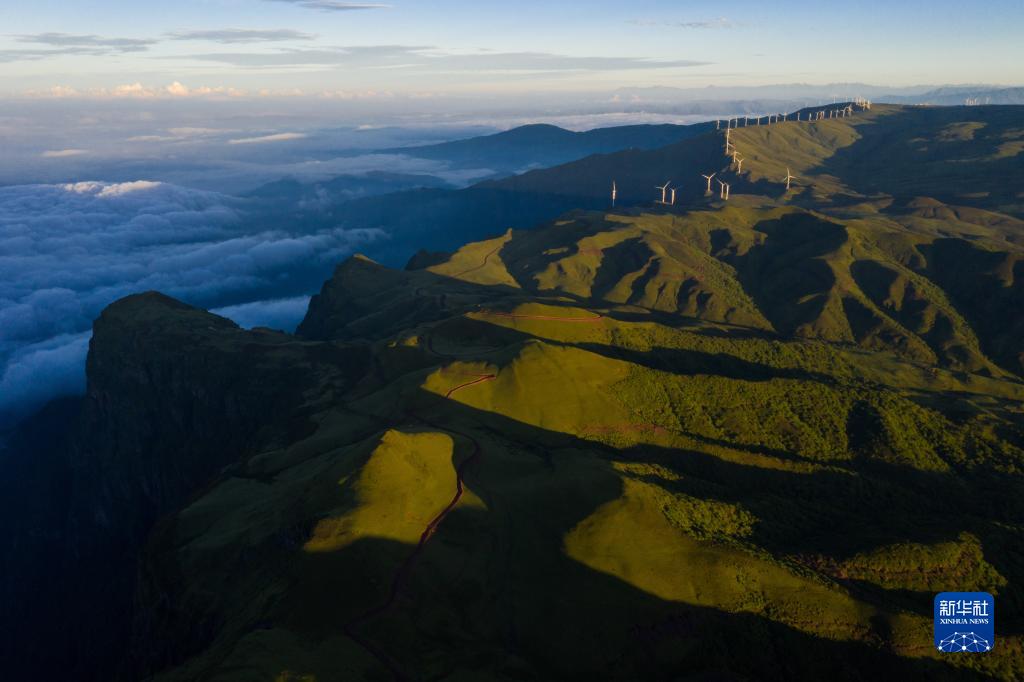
x: 402, y: 576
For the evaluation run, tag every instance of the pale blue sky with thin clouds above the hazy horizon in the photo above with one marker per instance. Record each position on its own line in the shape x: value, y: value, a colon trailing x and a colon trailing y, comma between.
x: 452, y: 47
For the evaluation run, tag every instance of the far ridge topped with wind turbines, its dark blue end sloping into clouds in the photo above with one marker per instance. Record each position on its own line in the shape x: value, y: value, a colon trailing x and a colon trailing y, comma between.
x: 962, y: 156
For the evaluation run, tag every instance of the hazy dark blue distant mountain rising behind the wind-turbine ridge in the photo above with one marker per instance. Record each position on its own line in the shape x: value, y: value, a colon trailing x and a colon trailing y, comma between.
x: 542, y: 146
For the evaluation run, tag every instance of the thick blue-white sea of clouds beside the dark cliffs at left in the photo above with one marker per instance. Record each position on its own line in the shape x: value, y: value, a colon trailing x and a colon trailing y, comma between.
x: 67, y: 251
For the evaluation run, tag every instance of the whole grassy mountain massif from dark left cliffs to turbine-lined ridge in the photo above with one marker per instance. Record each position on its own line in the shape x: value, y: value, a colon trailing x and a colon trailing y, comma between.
x: 723, y: 440
